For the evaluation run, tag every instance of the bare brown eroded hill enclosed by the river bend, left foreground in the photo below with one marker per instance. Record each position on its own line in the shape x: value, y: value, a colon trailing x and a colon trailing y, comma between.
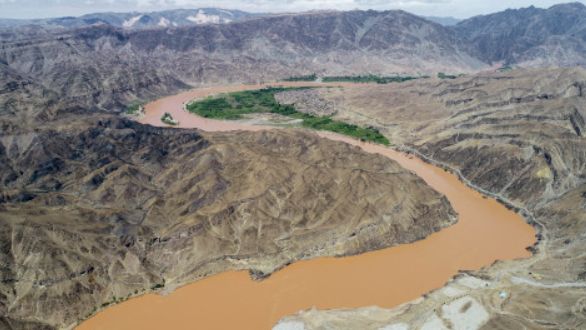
x: 95, y: 208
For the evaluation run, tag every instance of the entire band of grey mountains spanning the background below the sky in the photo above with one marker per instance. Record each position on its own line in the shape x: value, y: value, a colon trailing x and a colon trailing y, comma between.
x: 105, y: 60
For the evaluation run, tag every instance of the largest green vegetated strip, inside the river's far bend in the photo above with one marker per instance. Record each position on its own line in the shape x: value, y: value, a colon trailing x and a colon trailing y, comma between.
x: 234, y: 105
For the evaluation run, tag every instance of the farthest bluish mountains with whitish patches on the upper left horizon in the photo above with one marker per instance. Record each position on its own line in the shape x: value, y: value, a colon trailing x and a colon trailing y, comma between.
x: 138, y: 20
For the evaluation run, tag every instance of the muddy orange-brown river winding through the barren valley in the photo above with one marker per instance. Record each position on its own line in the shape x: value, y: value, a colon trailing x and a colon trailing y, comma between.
x: 486, y: 231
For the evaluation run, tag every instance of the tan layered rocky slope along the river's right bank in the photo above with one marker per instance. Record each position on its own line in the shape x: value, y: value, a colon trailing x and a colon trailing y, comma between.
x: 520, y: 136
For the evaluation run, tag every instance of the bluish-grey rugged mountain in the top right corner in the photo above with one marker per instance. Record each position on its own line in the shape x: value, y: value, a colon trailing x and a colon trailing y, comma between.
x: 530, y: 36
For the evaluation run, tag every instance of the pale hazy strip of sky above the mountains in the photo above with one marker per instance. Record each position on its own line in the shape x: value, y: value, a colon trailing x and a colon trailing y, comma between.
x: 455, y: 8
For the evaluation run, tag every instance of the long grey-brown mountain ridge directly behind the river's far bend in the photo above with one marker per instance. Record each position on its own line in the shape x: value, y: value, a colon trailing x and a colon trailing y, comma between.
x: 105, y: 66
